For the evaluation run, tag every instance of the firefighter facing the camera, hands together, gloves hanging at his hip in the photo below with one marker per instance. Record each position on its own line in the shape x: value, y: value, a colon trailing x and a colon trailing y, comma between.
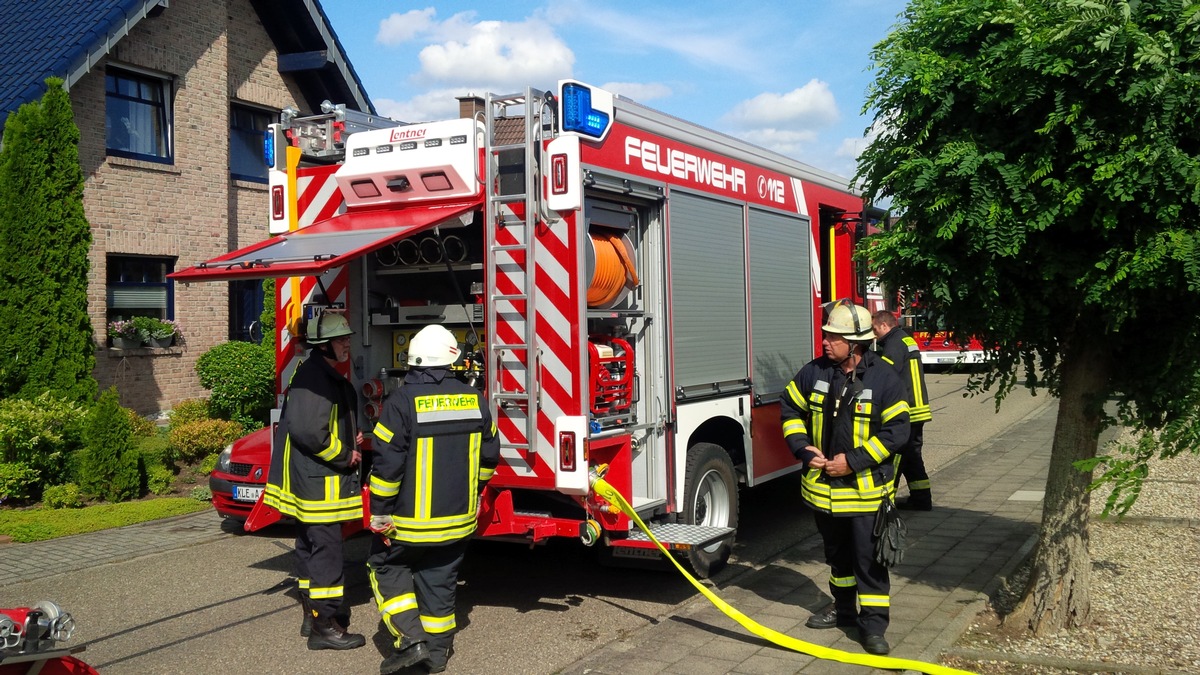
x: 845, y: 415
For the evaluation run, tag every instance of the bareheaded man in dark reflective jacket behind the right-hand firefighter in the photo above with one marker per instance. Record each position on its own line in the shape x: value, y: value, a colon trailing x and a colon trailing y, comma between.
x: 901, y: 350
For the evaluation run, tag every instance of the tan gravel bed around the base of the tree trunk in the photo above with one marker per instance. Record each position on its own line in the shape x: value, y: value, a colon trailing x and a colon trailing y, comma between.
x: 1145, y: 590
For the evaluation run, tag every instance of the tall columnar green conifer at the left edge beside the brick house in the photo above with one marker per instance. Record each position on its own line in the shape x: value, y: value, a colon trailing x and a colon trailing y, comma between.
x: 46, y: 337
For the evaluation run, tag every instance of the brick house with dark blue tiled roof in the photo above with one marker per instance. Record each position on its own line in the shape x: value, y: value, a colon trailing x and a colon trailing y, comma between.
x: 172, y: 99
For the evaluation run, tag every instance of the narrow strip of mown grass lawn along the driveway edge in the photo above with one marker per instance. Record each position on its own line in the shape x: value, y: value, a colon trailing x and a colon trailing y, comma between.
x: 41, y: 524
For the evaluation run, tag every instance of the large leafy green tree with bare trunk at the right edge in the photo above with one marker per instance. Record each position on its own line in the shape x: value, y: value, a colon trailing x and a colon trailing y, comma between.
x: 1045, y: 162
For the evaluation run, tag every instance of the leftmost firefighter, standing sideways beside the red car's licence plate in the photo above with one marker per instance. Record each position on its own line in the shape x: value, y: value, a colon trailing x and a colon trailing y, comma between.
x: 315, y: 477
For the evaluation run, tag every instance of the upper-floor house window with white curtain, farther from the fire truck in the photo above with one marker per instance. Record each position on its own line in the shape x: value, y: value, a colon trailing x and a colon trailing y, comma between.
x: 137, y: 116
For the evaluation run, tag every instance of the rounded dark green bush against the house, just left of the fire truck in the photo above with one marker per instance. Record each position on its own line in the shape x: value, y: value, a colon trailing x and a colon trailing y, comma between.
x: 242, y: 378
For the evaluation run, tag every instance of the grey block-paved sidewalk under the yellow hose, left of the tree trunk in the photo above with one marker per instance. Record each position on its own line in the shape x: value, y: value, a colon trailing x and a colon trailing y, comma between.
x: 988, y: 506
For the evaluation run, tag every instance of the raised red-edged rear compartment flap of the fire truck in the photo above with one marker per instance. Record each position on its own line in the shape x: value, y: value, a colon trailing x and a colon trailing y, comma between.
x: 325, y: 246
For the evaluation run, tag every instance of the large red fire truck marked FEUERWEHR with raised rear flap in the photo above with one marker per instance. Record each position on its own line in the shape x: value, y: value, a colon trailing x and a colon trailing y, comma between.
x: 633, y: 294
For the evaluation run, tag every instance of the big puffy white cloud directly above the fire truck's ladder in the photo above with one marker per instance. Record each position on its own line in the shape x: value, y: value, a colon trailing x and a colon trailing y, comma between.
x: 497, y: 56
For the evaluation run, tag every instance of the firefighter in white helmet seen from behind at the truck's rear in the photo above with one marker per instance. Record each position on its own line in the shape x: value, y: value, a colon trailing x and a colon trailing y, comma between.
x: 437, y: 450
